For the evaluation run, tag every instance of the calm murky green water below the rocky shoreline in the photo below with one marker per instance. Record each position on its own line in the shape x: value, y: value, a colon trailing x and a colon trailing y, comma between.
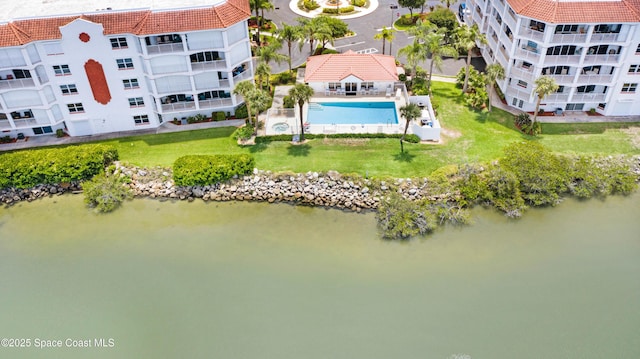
x: 240, y: 280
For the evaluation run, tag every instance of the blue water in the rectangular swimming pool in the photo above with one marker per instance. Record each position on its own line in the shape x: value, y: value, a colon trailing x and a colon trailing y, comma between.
x: 341, y: 113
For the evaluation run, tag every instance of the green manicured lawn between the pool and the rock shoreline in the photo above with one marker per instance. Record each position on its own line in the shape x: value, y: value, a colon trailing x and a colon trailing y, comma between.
x: 480, y: 137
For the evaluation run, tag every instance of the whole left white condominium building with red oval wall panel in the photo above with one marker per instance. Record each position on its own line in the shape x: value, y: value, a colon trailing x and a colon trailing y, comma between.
x: 99, y: 70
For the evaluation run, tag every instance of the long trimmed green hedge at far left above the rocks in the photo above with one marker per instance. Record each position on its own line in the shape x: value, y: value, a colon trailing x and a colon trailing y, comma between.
x: 25, y: 169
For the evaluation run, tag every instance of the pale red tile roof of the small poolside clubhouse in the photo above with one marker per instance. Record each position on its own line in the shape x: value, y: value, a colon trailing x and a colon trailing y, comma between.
x: 336, y: 67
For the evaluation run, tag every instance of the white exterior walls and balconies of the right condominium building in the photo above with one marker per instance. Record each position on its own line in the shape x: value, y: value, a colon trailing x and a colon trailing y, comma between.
x: 515, y: 51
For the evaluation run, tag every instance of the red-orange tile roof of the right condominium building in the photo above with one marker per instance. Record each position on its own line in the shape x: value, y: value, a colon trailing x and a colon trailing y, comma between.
x: 567, y: 12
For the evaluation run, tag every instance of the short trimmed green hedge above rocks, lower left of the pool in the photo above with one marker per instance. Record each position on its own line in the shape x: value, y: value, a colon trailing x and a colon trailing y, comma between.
x: 205, y: 169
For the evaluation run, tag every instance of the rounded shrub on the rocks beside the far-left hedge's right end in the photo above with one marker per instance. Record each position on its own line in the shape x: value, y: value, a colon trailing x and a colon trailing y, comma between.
x: 105, y: 193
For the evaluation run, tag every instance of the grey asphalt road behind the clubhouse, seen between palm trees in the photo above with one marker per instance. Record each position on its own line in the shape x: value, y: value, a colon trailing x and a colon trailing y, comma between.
x: 365, y: 28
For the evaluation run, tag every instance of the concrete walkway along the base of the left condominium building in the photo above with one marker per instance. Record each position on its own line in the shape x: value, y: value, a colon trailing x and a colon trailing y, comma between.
x: 168, y: 127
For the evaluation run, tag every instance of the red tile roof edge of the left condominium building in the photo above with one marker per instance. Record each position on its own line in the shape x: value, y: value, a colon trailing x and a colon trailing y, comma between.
x: 143, y: 22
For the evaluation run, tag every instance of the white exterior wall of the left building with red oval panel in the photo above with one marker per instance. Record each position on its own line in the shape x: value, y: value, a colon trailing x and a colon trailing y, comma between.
x: 42, y: 97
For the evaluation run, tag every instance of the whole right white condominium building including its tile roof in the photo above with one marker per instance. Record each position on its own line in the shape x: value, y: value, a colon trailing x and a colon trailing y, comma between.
x: 591, y: 48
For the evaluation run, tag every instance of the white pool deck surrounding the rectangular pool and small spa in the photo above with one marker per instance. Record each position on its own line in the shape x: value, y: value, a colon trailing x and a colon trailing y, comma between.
x: 290, y: 118
